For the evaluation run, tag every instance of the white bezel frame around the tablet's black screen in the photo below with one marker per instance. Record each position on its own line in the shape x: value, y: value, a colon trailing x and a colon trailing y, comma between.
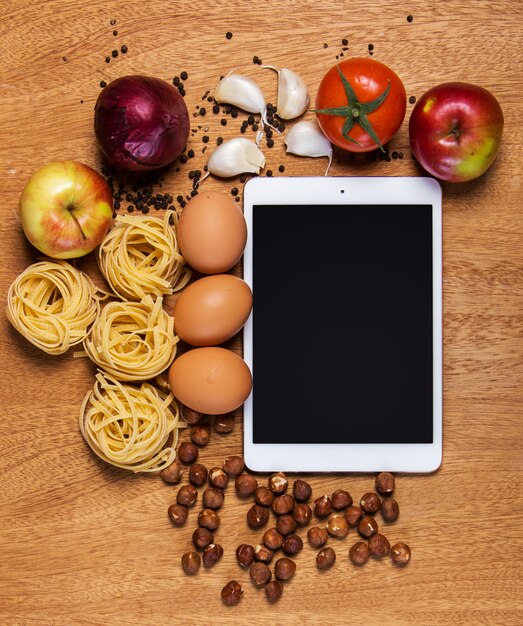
x: 347, y: 457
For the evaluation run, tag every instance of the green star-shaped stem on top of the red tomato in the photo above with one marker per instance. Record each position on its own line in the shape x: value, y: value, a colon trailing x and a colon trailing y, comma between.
x: 356, y: 111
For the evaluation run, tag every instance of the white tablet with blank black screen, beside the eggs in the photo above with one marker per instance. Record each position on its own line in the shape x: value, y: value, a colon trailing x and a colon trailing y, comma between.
x: 345, y: 337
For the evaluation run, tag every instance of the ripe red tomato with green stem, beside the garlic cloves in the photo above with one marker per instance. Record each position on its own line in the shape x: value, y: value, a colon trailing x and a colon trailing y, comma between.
x: 360, y: 104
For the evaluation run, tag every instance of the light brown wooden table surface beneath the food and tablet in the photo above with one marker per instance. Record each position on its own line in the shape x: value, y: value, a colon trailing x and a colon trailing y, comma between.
x: 83, y: 543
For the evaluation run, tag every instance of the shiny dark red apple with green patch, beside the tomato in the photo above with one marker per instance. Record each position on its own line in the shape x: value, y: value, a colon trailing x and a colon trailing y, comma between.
x: 455, y: 131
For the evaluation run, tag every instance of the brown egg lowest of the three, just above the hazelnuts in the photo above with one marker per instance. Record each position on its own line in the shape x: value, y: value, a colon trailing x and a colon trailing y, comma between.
x: 210, y: 380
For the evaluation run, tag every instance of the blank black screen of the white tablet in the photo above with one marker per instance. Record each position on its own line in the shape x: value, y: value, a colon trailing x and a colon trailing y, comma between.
x: 342, y: 324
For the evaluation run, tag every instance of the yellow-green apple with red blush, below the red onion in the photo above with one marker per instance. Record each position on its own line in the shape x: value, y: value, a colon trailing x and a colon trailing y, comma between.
x: 66, y: 209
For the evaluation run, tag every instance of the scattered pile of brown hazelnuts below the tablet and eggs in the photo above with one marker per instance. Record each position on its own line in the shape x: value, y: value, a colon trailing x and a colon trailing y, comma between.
x: 293, y: 513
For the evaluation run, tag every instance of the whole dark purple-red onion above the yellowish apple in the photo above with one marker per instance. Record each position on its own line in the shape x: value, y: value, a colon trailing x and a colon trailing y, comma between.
x: 141, y: 123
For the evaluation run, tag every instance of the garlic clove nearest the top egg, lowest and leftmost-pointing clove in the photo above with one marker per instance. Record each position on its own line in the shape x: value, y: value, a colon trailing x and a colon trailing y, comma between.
x: 234, y: 157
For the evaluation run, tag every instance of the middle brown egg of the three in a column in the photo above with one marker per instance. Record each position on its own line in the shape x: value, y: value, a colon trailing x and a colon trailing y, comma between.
x: 212, y: 309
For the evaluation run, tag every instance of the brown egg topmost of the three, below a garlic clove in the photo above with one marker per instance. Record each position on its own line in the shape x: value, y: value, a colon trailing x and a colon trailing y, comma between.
x: 212, y: 232
